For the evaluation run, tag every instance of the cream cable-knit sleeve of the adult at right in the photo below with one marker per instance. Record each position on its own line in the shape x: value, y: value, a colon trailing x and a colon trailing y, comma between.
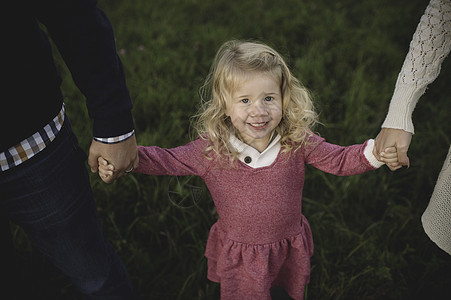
x: 430, y: 45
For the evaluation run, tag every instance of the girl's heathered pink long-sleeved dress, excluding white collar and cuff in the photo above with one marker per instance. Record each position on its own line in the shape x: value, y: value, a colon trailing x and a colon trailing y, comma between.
x: 261, y: 238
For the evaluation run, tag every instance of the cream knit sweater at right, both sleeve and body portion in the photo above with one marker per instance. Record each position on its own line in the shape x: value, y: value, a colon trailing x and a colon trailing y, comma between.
x: 430, y: 44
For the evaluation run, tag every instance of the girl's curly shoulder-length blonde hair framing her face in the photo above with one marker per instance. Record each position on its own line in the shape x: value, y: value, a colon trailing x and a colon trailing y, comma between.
x: 234, y: 60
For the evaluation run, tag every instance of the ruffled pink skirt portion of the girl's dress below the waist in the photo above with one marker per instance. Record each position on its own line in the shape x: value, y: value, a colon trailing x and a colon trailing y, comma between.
x: 285, y: 262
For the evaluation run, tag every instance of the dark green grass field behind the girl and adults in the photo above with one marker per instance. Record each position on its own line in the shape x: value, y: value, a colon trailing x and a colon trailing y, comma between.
x: 369, y: 242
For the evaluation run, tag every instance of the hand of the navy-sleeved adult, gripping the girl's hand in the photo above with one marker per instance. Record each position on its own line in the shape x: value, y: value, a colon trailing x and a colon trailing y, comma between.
x: 123, y: 156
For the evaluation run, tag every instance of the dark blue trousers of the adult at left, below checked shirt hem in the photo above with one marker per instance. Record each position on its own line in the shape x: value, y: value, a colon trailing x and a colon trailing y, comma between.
x: 50, y: 197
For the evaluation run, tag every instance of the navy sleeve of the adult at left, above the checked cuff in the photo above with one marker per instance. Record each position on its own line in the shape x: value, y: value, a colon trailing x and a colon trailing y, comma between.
x: 84, y: 37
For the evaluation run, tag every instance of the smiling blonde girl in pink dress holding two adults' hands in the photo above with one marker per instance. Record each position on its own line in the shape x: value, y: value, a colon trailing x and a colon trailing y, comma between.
x: 255, y: 138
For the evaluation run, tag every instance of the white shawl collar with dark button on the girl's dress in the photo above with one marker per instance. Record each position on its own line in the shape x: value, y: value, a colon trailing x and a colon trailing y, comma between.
x: 251, y: 157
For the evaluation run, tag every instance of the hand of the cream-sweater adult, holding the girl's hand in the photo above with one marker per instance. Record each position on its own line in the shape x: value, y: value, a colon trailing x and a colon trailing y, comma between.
x: 389, y: 137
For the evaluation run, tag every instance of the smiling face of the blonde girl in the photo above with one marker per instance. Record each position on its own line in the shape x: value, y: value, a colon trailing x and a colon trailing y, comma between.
x: 255, y: 109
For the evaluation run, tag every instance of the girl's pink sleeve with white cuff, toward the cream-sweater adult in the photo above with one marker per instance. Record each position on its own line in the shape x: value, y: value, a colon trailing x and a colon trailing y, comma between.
x: 339, y: 160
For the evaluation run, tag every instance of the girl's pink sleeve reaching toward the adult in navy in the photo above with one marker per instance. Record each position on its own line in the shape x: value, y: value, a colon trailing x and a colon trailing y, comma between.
x: 180, y: 161
